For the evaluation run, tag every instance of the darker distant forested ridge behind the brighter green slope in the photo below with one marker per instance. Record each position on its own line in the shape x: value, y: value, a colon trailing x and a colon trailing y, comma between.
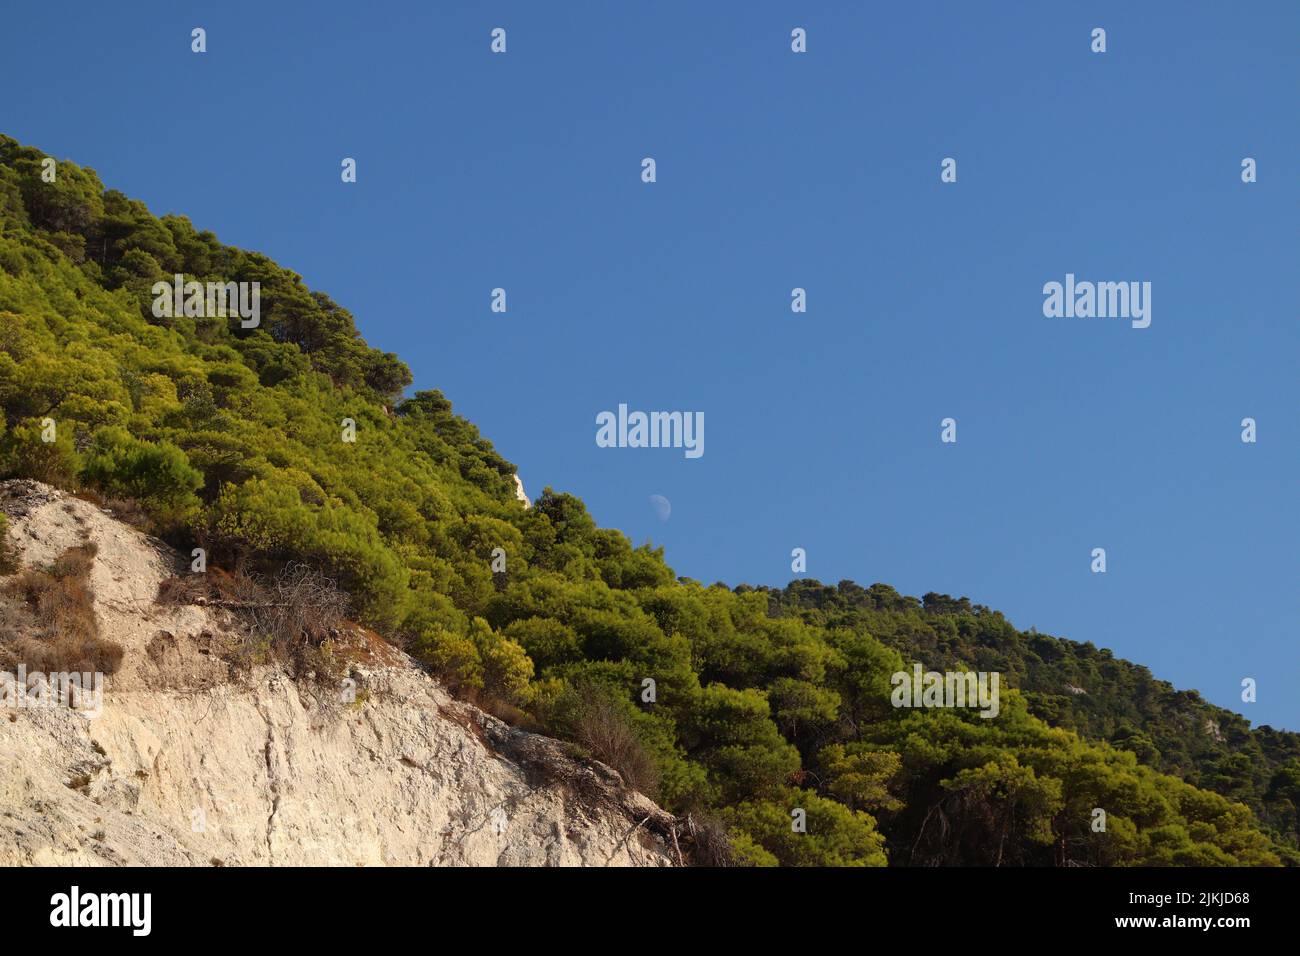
x: 1076, y: 686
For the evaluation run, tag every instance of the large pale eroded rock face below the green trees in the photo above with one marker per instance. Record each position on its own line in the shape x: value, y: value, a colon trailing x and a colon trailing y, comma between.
x: 188, y: 765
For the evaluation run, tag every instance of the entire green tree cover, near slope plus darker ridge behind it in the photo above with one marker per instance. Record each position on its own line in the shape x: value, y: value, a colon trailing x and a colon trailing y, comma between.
x: 765, y: 702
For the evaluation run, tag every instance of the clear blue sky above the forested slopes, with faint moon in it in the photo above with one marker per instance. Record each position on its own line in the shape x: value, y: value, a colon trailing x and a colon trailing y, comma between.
x: 779, y: 171
